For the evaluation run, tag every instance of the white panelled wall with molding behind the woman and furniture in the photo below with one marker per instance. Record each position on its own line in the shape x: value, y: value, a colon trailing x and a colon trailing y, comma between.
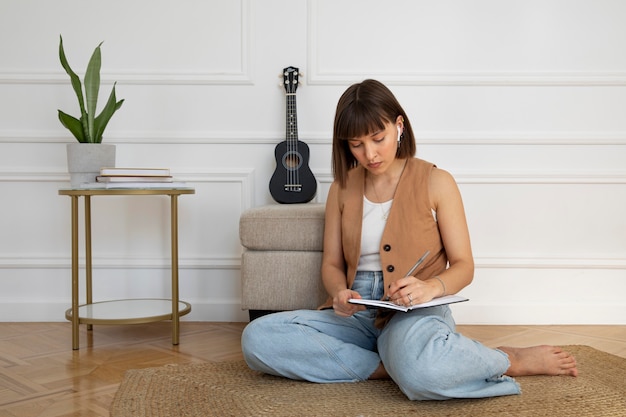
x: 523, y: 101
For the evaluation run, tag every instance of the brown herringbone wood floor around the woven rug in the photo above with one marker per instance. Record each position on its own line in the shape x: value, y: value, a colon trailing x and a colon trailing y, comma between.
x: 40, y: 375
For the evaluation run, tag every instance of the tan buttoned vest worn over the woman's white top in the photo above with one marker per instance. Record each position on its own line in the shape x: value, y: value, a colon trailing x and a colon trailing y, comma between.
x: 411, y: 228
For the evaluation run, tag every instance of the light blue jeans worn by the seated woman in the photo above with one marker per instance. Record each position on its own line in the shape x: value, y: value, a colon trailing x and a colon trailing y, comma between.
x: 420, y: 350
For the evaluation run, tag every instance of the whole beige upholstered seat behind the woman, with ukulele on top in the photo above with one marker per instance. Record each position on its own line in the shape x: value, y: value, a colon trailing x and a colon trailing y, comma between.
x: 281, y: 259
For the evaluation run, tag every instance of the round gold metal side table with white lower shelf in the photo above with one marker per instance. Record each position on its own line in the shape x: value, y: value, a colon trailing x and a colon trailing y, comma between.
x: 122, y: 311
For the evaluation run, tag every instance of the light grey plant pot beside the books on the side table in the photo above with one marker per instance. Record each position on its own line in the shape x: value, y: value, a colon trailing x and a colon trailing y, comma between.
x: 84, y: 161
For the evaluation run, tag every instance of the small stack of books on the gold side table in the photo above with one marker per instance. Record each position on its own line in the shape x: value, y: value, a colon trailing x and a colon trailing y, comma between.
x: 135, y: 178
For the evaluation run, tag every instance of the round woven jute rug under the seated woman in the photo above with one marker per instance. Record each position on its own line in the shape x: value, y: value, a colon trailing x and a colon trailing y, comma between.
x: 232, y: 389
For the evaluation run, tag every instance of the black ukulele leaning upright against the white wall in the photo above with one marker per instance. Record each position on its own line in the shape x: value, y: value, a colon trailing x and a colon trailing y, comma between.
x: 292, y: 181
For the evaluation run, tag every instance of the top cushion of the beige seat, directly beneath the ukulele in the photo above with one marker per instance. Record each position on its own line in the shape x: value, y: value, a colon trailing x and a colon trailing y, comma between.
x: 288, y: 227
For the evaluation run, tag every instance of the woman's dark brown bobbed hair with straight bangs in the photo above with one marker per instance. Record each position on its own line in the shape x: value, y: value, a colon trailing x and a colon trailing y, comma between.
x: 365, y: 108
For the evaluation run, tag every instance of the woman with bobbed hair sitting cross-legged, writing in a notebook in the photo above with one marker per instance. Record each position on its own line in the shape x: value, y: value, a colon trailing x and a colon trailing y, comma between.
x: 384, y: 210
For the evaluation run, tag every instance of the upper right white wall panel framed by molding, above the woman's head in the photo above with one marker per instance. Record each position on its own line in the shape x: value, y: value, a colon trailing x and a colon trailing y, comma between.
x: 420, y: 45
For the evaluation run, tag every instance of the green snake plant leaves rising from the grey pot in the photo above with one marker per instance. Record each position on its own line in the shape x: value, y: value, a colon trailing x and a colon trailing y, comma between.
x: 89, y: 128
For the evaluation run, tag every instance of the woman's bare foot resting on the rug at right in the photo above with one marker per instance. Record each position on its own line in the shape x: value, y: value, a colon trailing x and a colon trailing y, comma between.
x: 540, y: 360
